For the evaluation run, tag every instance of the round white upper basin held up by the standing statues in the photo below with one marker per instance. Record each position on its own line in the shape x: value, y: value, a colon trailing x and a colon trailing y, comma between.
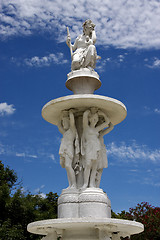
x: 114, y: 109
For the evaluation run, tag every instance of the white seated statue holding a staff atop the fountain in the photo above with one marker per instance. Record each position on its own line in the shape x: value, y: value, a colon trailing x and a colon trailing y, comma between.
x: 83, y: 51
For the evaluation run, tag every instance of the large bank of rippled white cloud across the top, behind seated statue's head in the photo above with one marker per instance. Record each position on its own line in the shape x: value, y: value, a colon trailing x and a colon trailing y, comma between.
x: 119, y: 23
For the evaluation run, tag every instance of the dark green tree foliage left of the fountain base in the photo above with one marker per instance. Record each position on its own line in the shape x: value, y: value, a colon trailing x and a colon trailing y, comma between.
x: 19, y: 209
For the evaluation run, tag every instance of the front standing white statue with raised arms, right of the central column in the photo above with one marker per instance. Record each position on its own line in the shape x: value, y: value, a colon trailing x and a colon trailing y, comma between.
x: 91, y: 145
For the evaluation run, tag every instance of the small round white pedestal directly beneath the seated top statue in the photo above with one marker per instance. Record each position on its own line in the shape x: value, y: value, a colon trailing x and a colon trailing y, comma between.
x: 83, y: 81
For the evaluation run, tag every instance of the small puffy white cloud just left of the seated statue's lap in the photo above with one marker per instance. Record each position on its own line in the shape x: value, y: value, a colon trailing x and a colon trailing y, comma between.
x: 46, y: 60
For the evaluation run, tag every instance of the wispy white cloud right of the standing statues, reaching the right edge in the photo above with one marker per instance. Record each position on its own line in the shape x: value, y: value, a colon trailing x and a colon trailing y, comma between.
x: 133, y: 152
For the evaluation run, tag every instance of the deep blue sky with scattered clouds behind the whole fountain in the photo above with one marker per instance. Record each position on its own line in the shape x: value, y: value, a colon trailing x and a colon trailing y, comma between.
x: 34, y: 62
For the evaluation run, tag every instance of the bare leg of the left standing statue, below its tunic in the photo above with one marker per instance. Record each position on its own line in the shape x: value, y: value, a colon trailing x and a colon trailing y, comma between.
x: 70, y: 172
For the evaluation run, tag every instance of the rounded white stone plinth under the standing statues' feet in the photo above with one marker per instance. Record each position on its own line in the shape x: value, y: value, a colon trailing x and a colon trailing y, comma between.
x: 91, y: 202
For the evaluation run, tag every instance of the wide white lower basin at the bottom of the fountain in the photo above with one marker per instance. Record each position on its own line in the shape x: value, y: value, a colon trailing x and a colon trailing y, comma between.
x: 125, y: 227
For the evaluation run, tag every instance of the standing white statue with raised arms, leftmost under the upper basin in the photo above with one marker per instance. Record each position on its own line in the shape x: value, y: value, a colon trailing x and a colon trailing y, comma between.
x: 69, y: 145
